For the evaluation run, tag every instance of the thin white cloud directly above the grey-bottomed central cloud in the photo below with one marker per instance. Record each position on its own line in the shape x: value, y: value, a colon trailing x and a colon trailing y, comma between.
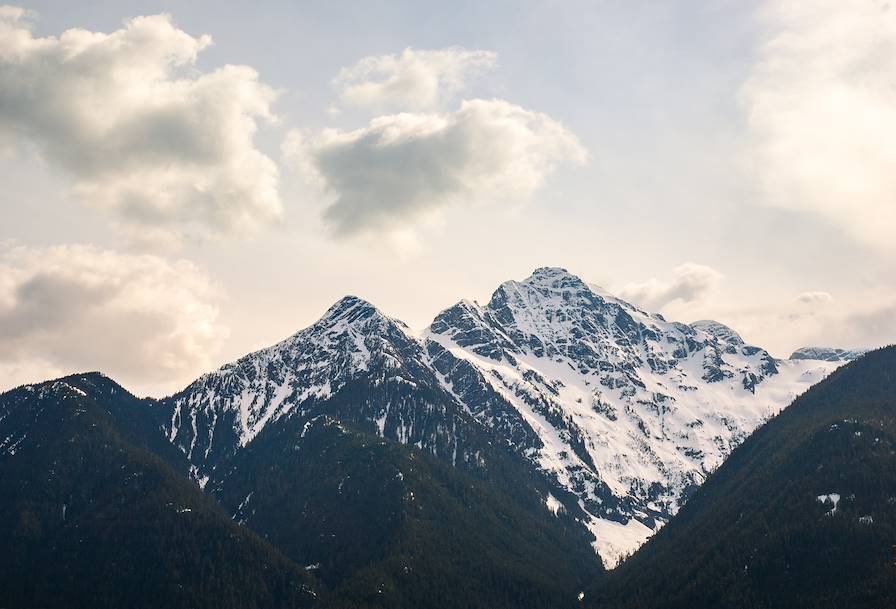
x: 414, y: 80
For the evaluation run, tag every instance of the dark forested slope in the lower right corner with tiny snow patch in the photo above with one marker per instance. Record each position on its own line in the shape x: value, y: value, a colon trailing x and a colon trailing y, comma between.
x: 755, y: 535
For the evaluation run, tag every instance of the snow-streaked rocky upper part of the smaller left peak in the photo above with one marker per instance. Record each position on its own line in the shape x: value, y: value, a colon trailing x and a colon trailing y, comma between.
x: 353, y: 350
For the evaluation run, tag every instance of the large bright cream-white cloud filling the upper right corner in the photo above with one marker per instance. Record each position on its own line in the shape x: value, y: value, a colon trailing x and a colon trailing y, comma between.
x: 821, y: 108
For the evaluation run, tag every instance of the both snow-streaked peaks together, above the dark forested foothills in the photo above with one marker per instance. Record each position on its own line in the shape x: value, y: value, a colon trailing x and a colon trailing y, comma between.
x: 617, y: 412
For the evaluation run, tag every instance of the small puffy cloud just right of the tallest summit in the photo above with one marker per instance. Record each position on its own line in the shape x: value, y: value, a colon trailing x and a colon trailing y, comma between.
x: 689, y: 283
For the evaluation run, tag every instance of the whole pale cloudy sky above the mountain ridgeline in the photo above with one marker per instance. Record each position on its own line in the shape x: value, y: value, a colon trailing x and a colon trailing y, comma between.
x: 184, y: 183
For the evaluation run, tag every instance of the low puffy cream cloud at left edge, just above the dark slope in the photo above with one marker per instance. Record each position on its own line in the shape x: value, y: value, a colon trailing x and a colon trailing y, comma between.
x: 143, y: 320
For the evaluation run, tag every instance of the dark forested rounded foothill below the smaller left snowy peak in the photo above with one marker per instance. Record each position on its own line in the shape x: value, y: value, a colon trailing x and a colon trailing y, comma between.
x: 386, y: 525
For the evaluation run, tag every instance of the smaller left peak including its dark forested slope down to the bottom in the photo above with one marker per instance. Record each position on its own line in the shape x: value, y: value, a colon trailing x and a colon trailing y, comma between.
x: 343, y: 447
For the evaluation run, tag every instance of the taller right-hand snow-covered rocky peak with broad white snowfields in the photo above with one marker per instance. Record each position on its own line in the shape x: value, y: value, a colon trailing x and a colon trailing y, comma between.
x: 627, y: 413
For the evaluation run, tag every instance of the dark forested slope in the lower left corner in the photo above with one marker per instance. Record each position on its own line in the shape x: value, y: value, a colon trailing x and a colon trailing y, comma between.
x: 90, y: 518
